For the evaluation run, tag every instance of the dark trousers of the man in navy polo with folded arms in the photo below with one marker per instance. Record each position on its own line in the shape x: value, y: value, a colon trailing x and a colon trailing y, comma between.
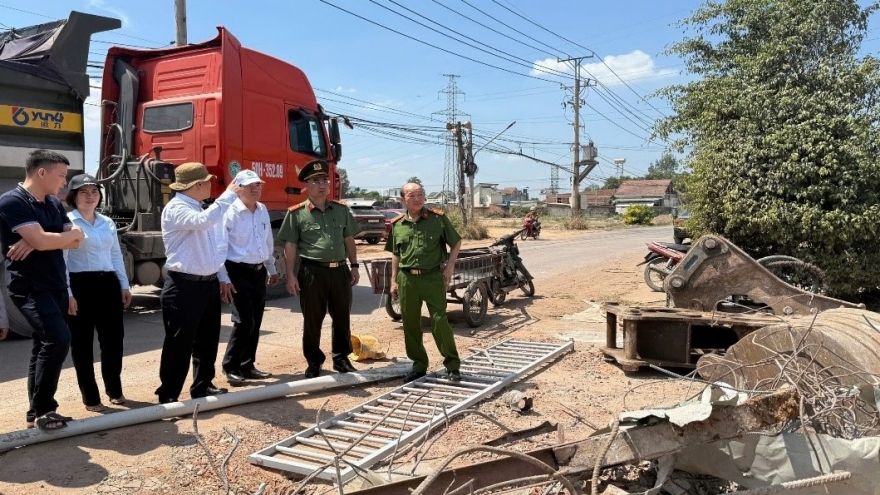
x: 45, y: 312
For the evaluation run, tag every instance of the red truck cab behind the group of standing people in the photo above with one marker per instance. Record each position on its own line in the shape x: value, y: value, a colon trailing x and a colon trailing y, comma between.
x: 222, y: 104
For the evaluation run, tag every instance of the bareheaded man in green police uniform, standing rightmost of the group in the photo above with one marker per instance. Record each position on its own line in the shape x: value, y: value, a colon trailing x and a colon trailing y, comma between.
x: 418, y: 241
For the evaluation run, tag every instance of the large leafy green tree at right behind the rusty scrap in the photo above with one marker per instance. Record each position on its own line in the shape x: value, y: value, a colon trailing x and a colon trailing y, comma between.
x: 780, y: 126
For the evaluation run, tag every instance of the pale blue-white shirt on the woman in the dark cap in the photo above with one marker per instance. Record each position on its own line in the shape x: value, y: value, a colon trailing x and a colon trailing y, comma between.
x: 99, y: 250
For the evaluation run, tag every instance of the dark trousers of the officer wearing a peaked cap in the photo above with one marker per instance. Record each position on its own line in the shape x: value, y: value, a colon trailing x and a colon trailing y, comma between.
x: 325, y: 290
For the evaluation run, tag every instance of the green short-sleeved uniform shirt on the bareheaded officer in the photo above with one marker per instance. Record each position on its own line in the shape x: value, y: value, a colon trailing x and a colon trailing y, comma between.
x: 422, y: 243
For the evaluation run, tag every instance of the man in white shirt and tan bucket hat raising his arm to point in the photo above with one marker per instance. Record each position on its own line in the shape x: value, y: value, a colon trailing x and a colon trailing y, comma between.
x: 195, y: 249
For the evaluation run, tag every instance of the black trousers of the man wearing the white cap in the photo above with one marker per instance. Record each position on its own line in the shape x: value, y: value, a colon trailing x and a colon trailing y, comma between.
x: 248, y: 304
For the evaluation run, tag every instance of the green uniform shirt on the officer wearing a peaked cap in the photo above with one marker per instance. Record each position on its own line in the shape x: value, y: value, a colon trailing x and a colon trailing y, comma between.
x: 318, y: 235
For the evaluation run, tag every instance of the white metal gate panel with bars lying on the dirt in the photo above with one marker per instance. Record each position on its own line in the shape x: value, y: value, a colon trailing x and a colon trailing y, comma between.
x: 370, y: 432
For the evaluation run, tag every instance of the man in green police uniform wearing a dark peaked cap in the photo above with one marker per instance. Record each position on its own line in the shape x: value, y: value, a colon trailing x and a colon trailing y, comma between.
x: 321, y: 232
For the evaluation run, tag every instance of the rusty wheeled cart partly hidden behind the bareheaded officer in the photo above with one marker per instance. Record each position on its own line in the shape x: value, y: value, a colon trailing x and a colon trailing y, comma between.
x: 473, y: 273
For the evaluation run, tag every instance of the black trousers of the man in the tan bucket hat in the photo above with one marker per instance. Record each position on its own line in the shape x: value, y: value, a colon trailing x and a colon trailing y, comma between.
x: 191, y: 314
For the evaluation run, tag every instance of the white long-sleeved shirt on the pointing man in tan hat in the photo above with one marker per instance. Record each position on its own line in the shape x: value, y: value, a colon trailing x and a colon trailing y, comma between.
x: 195, y: 240
